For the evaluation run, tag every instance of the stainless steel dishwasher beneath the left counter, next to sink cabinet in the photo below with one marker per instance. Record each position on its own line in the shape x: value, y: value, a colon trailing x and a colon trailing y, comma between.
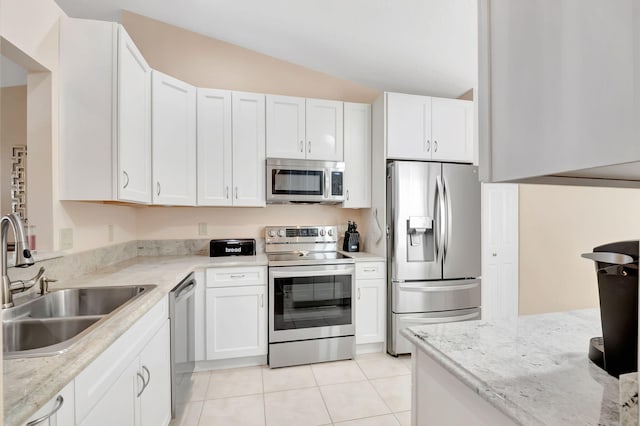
x: 182, y: 316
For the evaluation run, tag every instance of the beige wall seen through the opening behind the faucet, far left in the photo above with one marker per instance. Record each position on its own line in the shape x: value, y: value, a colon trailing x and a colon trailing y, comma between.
x: 13, y: 132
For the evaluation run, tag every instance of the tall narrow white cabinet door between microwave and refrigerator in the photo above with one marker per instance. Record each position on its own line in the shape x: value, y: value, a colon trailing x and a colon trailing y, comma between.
x: 357, y: 155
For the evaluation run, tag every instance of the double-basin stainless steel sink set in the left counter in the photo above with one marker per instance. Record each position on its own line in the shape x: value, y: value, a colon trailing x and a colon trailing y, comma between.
x: 50, y: 324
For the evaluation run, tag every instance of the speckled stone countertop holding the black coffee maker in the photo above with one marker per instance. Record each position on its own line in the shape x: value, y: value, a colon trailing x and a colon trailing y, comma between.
x: 534, y: 369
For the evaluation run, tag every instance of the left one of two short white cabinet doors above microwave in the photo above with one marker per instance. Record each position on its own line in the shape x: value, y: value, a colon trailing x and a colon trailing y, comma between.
x: 285, y: 127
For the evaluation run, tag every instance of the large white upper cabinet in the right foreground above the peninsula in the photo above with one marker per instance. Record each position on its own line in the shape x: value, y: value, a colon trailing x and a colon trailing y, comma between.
x: 559, y: 85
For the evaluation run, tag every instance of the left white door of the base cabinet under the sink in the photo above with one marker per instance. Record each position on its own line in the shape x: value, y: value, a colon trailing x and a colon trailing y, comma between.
x: 118, y: 405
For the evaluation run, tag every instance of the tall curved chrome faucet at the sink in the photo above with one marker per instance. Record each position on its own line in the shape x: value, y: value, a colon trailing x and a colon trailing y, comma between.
x: 23, y: 256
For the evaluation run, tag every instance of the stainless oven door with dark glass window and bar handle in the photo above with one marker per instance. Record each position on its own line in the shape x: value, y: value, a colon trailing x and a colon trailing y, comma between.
x: 311, y: 302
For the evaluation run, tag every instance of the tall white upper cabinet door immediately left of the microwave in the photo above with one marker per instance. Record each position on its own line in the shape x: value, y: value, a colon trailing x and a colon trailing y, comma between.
x: 248, y: 149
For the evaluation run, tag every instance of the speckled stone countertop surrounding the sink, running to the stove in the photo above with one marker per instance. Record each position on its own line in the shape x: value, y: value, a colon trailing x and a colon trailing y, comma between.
x: 30, y: 382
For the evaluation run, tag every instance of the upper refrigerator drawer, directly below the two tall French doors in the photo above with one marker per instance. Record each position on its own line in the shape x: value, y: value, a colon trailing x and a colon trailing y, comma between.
x: 426, y: 296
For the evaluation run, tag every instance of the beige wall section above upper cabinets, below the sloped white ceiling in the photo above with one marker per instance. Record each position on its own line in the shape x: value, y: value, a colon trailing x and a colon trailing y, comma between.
x: 207, y: 62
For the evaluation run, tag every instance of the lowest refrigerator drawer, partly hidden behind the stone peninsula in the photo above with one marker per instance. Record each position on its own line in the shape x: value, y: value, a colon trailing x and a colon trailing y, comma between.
x: 397, y: 344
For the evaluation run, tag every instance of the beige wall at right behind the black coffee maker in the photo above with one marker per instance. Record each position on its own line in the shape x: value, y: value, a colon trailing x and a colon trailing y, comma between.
x: 557, y: 224
